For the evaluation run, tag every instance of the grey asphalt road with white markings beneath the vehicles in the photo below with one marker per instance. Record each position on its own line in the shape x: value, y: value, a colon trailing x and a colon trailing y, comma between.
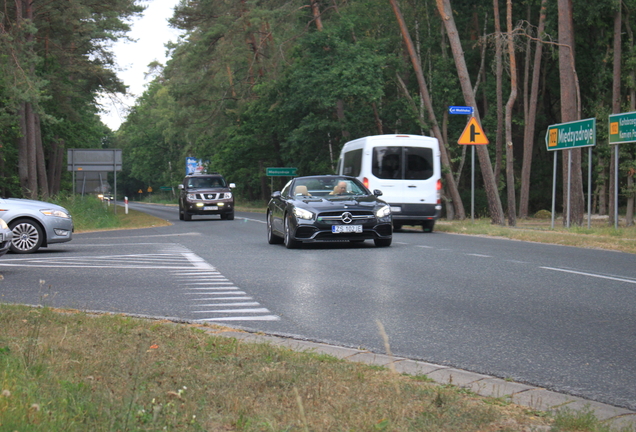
x: 557, y: 317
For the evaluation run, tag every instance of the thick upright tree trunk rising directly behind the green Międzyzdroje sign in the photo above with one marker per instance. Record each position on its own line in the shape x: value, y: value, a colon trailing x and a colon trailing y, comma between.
x: 570, y: 111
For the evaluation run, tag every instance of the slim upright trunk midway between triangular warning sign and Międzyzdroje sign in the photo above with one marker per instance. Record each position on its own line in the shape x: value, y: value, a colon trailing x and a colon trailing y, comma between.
x: 510, y: 174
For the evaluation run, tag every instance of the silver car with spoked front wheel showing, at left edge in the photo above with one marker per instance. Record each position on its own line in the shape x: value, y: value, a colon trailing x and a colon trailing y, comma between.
x: 35, y: 224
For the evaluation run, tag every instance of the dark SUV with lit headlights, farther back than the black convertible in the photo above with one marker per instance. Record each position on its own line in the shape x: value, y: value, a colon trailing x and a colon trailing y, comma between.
x: 205, y: 194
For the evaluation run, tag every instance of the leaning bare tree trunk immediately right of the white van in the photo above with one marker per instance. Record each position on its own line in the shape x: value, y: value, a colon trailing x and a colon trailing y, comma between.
x: 448, y: 176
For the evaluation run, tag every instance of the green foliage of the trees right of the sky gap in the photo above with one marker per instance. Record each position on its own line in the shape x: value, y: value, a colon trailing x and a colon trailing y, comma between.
x: 255, y: 84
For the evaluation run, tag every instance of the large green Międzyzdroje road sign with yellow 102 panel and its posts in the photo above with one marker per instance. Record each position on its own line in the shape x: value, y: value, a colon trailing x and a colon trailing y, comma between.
x: 579, y: 133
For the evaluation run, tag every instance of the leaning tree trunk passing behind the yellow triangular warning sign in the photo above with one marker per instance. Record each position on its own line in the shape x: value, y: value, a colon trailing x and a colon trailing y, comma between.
x: 494, y: 202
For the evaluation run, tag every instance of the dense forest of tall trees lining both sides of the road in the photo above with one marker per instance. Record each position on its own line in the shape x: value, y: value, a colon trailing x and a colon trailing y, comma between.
x: 285, y: 83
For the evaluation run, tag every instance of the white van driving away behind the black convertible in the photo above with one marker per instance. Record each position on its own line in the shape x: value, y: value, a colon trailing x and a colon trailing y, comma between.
x: 406, y: 168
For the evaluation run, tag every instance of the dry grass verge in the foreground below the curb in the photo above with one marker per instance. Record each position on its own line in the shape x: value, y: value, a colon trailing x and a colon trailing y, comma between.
x: 75, y: 372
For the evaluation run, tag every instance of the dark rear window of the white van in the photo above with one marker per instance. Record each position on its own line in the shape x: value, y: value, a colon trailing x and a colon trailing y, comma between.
x: 412, y: 163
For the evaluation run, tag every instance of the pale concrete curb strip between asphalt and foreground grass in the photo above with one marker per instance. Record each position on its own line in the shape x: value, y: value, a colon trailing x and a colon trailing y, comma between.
x: 521, y: 394
